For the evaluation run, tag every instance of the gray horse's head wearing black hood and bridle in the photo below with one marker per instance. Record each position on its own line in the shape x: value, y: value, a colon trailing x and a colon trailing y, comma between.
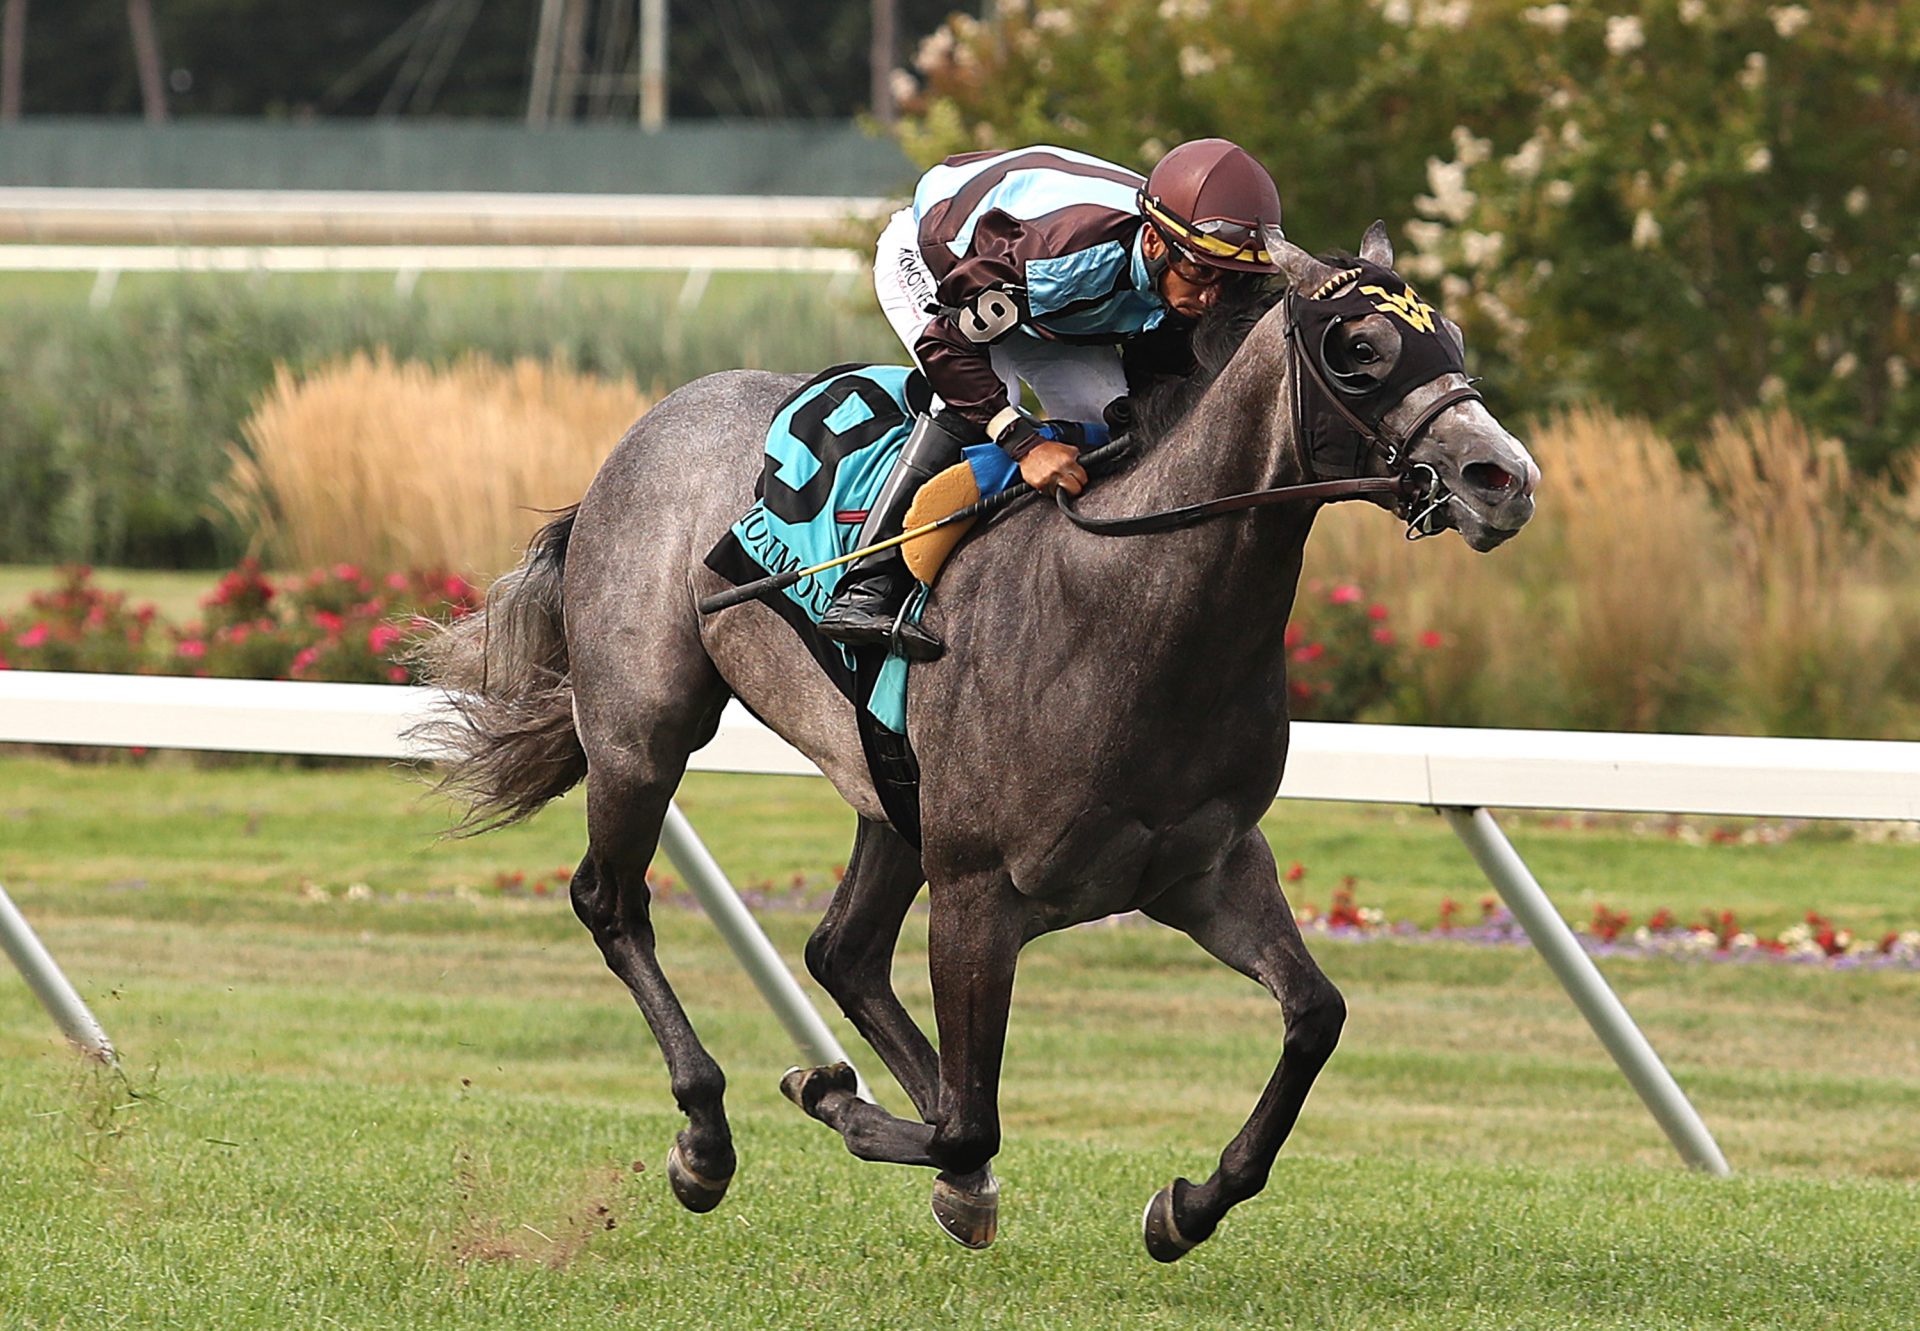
x: 1385, y: 393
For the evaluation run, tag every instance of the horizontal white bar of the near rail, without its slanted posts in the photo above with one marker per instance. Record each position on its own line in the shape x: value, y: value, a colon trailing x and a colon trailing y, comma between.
x: 1397, y: 765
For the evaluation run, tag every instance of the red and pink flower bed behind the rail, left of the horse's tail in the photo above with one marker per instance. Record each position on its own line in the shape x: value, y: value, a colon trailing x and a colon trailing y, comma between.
x: 341, y: 625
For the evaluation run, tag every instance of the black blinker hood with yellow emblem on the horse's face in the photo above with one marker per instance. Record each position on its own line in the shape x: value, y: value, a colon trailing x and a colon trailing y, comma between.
x: 1428, y: 351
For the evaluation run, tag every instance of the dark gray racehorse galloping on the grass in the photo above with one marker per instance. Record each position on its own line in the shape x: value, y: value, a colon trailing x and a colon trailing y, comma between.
x: 1103, y: 735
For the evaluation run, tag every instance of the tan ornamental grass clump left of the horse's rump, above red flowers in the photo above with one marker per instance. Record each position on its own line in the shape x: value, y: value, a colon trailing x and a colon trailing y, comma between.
x: 398, y: 466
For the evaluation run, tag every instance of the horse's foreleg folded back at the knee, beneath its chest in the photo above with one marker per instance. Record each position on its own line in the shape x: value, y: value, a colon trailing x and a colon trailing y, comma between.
x: 974, y: 944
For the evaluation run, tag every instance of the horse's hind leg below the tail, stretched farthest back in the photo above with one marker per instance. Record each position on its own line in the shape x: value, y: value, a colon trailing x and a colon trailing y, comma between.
x: 629, y: 790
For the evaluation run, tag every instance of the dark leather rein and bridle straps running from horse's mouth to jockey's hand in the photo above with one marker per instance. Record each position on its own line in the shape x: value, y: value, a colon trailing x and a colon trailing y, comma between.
x: 1416, y: 487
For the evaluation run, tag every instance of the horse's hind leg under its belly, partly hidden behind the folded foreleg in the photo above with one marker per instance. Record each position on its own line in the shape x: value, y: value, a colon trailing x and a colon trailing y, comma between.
x: 852, y: 956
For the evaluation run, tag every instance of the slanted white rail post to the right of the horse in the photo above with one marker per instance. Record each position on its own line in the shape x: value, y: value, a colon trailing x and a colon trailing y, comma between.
x: 1598, y: 1004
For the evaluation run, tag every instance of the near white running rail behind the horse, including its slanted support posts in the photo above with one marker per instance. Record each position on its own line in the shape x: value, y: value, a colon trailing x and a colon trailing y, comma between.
x: 1458, y: 771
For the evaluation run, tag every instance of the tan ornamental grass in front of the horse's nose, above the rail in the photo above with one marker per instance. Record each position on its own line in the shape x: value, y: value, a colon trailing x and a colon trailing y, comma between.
x: 1765, y: 593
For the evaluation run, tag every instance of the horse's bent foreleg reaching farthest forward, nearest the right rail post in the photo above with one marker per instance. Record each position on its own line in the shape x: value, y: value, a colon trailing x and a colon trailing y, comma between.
x: 1241, y: 917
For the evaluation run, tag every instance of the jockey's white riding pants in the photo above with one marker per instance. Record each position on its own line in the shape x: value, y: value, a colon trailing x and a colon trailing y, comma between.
x: 1072, y: 381
